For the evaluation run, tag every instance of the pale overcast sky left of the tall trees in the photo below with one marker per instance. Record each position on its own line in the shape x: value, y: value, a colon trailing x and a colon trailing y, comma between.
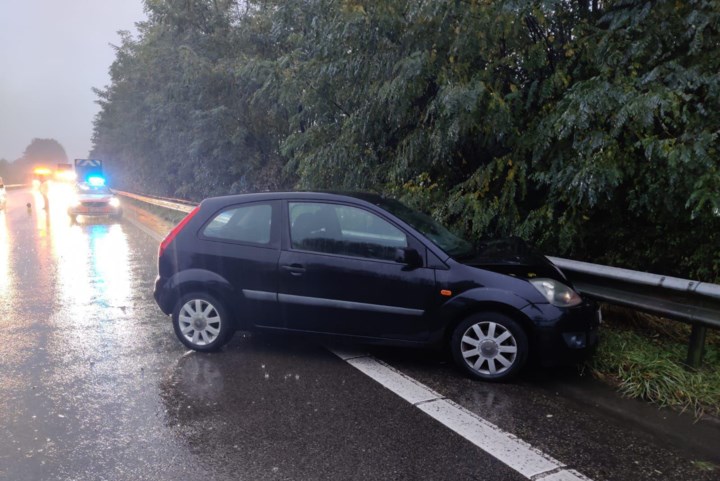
x: 52, y: 53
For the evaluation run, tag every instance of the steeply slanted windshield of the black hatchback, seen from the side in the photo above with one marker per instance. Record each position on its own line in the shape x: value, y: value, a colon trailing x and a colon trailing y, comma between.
x: 437, y: 233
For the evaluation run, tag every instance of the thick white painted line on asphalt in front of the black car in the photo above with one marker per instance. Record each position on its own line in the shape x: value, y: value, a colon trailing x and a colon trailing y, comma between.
x: 512, y: 451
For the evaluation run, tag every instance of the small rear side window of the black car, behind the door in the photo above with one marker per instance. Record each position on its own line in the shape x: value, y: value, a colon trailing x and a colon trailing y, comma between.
x: 247, y: 223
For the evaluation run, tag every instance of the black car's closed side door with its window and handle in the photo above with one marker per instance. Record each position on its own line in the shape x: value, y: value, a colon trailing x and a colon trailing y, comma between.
x: 339, y: 274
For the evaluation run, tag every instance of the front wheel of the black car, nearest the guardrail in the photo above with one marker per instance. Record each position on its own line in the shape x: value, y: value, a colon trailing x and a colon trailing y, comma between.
x: 489, y: 346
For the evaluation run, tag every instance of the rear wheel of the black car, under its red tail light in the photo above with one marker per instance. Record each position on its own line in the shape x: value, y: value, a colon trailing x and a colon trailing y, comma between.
x: 201, y: 322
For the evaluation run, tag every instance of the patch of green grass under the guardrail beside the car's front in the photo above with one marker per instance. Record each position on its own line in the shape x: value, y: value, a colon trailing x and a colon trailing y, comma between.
x: 643, y: 356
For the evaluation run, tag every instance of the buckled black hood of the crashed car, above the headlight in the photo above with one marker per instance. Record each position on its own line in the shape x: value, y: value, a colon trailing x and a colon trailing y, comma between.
x: 512, y: 256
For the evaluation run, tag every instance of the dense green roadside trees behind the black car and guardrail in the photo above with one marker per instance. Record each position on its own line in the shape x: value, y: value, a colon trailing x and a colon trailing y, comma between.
x: 588, y: 127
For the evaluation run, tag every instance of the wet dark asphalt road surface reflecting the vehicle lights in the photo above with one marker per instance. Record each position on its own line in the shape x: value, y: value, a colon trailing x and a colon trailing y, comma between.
x: 94, y: 386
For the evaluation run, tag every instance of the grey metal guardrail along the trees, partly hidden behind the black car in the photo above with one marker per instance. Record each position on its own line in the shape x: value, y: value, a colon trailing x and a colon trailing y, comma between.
x: 693, y: 302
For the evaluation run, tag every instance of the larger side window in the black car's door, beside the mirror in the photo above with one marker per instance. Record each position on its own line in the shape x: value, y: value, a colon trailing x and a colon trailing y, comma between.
x: 343, y: 230
